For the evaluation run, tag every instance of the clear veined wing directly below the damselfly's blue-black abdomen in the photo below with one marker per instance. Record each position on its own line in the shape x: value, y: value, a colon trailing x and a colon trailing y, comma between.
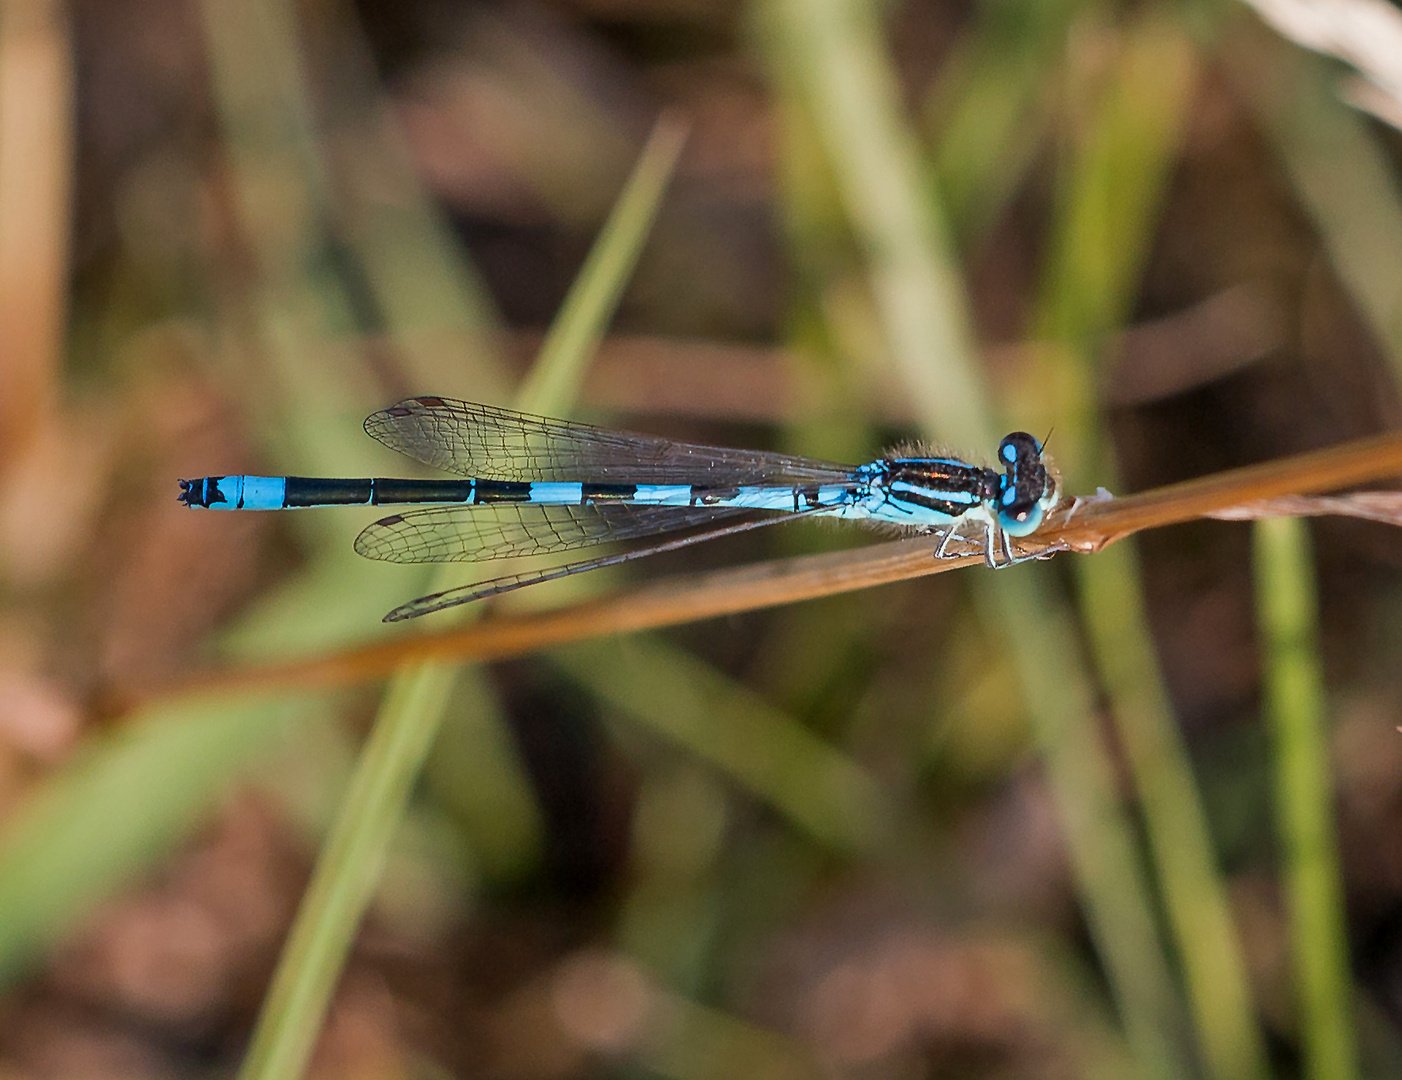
x: 472, y: 534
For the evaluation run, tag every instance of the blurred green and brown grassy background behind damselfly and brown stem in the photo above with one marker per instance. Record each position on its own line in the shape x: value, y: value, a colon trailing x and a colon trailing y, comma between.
x: 1128, y: 816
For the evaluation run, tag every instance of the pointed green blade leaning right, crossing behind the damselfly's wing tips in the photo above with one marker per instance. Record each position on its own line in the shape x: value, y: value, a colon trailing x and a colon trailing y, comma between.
x: 410, y: 717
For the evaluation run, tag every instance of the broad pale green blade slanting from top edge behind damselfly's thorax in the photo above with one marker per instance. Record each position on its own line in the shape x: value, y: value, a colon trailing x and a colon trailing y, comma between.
x: 833, y: 55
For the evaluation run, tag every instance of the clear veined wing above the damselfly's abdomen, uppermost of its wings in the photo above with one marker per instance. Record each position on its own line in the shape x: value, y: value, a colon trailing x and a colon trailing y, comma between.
x: 483, y: 441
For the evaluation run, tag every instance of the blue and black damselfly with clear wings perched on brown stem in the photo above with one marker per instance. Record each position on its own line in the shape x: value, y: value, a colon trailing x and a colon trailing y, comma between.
x: 535, y: 486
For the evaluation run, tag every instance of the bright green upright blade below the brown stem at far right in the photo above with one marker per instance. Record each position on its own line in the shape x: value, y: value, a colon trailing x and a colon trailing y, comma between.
x: 1295, y: 705
